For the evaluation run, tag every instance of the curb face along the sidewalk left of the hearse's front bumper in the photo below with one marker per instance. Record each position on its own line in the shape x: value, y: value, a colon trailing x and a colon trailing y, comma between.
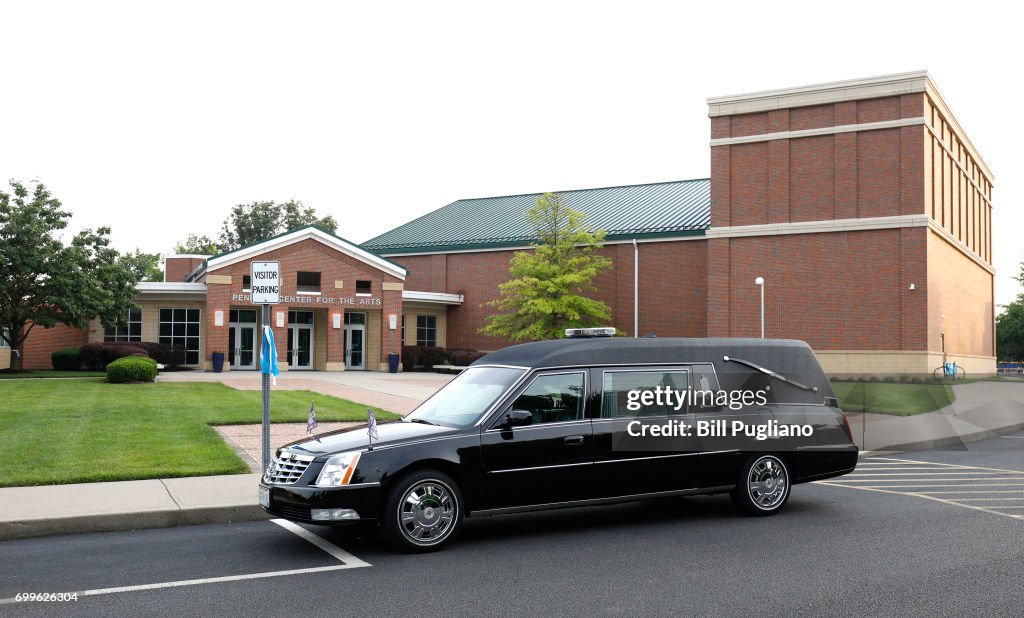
x: 117, y: 522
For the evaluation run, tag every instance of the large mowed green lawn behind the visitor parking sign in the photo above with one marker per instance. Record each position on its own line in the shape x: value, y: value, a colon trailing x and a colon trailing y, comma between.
x: 75, y: 431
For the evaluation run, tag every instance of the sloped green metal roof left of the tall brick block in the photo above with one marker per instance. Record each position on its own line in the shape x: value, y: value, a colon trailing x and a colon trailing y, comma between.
x: 663, y: 209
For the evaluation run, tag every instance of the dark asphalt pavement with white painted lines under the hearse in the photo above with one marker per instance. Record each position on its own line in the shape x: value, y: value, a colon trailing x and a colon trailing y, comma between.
x: 930, y: 534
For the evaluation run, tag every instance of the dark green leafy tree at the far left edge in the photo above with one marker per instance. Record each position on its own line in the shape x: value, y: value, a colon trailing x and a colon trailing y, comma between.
x: 45, y: 283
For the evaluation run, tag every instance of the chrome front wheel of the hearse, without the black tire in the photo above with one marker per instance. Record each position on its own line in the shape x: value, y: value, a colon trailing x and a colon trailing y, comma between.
x: 428, y: 513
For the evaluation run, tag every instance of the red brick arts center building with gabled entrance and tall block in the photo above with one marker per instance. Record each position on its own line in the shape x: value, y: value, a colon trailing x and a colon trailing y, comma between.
x: 863, y: 204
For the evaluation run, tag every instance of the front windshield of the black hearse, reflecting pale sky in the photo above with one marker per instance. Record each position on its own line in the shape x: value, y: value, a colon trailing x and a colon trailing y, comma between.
x: 463, y: 402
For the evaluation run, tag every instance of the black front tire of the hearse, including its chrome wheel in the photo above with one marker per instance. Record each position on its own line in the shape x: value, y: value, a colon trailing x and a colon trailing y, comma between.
x: 429, y: 522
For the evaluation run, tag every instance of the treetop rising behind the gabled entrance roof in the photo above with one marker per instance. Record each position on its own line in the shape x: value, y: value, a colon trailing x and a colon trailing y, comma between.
x: 249, y: 224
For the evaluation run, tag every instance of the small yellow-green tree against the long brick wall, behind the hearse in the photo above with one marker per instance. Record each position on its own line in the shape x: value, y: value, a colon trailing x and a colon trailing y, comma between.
x: 544, y: 294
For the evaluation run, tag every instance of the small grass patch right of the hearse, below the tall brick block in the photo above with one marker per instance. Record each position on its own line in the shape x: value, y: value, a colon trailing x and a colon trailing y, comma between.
x: 898, y: 400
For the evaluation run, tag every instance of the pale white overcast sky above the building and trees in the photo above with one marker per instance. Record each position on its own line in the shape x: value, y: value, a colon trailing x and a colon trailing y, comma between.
x: 156, y: 118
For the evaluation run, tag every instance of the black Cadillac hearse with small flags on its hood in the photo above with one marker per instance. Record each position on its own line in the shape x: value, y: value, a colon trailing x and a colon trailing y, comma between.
x: 582, y: 421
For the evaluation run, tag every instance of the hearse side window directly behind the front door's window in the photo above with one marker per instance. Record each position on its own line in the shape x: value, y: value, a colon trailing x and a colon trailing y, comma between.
x: 625, y: 390
